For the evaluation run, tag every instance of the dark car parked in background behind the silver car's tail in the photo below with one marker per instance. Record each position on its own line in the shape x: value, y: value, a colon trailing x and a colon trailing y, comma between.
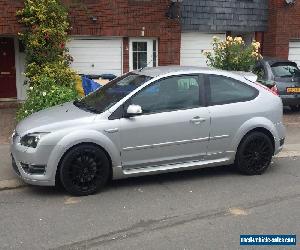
x: 283, y: 77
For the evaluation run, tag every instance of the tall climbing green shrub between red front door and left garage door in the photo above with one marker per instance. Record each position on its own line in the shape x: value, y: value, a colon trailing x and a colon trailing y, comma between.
x: 51, y: 81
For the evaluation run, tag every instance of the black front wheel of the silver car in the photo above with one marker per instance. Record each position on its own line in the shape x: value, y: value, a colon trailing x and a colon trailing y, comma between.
x: 84, y: 170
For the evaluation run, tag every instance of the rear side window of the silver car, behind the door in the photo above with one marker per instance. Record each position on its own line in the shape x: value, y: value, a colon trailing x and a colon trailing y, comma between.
x: 227, y: 90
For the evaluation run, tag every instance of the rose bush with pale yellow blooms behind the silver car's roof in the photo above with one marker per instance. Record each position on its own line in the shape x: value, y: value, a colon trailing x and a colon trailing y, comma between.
x: 233, y: 54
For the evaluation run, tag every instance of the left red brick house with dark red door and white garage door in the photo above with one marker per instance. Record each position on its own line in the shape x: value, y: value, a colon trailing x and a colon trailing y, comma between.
x: 106, y: 37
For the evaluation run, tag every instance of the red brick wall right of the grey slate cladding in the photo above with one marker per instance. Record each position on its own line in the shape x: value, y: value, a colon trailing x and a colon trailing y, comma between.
x: 284, y: 25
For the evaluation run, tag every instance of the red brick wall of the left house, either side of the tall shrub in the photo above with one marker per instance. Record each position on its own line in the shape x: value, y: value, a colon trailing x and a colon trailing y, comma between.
x: 125, y: 18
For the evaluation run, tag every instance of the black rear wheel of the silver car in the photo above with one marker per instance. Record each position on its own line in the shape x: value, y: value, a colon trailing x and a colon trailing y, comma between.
x: 254, y: 154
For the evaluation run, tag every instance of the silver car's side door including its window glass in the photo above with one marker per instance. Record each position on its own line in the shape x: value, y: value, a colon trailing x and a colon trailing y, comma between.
x: 173, y: 127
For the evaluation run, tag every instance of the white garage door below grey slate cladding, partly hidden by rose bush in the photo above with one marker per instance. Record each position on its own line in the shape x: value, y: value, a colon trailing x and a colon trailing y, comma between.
x: 192, y: 46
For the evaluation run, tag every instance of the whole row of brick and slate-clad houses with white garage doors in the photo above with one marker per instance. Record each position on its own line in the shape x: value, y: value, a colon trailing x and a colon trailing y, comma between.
x: 115, y: 36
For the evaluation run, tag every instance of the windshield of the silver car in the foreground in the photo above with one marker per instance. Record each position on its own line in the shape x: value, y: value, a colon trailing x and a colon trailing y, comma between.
x: 108, y: 95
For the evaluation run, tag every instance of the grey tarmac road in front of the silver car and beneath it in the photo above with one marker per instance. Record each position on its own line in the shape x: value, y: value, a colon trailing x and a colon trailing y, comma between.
x: 203, y: 209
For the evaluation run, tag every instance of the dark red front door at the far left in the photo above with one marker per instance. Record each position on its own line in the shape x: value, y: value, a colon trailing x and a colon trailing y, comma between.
x: 7, y: 68
